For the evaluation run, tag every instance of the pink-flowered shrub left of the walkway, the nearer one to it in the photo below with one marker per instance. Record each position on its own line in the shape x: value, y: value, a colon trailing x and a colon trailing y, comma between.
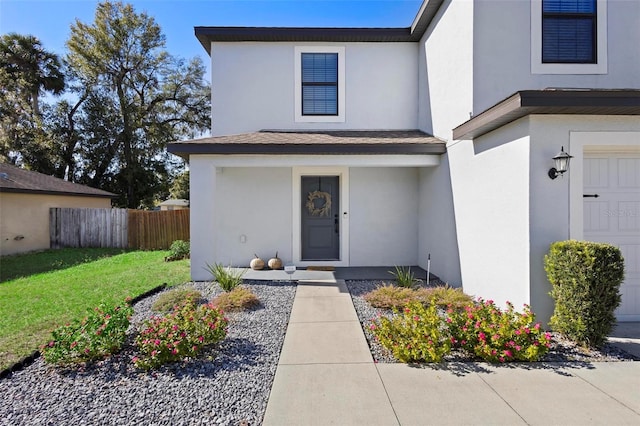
x: 182, y: 333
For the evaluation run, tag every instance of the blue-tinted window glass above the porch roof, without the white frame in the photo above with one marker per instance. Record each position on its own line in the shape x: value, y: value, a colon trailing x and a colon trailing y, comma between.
x: 319, y: 83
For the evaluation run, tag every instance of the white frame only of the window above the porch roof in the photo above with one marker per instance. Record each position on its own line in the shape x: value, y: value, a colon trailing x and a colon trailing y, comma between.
x: 299, y: 118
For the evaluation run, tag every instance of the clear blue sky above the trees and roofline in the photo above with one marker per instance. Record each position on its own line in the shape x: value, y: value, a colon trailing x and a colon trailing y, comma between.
x: 50, y: 20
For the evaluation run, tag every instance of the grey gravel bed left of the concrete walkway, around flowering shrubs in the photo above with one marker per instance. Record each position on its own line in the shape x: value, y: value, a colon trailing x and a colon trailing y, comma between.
x: 229, y: 385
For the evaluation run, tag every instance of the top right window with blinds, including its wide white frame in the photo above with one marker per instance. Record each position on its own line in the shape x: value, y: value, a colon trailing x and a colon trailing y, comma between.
x: 569, y: 36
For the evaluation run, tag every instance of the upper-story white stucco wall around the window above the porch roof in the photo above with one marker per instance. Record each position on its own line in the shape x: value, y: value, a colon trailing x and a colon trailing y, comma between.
x: 253, y: 87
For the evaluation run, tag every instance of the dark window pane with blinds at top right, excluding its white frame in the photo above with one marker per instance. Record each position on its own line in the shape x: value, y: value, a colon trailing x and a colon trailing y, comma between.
x: 569, y: 29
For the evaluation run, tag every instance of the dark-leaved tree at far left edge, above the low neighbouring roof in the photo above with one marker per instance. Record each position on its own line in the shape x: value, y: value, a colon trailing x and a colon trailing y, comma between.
x: 27, y: 71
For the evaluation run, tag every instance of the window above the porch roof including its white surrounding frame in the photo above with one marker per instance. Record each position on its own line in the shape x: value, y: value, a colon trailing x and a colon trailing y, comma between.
x: 319, y: 84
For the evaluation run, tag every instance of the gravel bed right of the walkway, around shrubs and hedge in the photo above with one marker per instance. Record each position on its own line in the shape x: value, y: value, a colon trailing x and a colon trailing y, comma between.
x: 561, y: 350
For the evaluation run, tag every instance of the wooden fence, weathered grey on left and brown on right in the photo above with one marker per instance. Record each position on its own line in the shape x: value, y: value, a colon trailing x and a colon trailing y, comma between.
x: 117, y: 228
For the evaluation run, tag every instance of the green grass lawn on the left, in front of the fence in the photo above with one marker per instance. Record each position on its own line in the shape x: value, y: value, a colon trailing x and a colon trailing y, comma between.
x: 40, y: 291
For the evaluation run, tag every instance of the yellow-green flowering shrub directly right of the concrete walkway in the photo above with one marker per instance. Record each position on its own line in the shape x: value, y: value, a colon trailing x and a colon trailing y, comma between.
x: 417, y: 334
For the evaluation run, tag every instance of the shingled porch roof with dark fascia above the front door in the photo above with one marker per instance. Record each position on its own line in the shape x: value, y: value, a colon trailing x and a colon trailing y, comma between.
x: 314, y: 143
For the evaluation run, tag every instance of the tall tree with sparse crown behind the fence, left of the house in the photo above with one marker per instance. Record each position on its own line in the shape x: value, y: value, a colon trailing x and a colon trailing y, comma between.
x: 148, y: 98
